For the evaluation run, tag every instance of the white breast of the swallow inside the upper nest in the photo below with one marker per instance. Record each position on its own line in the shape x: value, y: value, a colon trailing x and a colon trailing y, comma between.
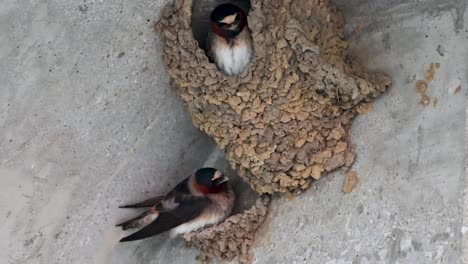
x: 233, y: 59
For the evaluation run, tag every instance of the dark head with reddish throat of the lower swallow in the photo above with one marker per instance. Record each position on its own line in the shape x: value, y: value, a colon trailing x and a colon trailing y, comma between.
x: 210, y: 180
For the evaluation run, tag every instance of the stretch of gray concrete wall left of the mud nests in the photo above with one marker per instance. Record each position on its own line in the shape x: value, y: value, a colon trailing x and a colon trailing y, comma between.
x: 87, y: 122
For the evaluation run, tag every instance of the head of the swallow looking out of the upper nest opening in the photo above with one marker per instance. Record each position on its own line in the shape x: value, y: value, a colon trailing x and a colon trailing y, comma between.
x: 228, y: 19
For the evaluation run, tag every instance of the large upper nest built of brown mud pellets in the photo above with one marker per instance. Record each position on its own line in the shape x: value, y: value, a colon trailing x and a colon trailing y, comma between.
x: 284, y: 122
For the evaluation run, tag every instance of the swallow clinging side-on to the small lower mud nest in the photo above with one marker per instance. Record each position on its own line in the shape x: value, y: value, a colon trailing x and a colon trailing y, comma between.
x: 203, y: 199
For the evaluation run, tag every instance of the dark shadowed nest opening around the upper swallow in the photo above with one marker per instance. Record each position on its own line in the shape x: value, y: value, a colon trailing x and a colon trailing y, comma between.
x: 201, y: 11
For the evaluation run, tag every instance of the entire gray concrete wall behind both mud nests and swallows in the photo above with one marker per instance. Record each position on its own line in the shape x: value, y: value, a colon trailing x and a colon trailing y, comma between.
x: 88, y: 122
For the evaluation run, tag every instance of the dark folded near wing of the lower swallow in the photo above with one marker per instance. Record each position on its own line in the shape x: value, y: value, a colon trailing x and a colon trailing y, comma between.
x: 187, y: 210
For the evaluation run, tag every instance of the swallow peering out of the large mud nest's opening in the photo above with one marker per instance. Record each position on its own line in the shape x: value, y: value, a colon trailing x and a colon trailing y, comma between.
x: 229, y: 42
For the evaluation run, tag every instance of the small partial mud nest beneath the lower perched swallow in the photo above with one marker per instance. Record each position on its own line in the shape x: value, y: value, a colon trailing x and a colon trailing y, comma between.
x: 231, y: 239
